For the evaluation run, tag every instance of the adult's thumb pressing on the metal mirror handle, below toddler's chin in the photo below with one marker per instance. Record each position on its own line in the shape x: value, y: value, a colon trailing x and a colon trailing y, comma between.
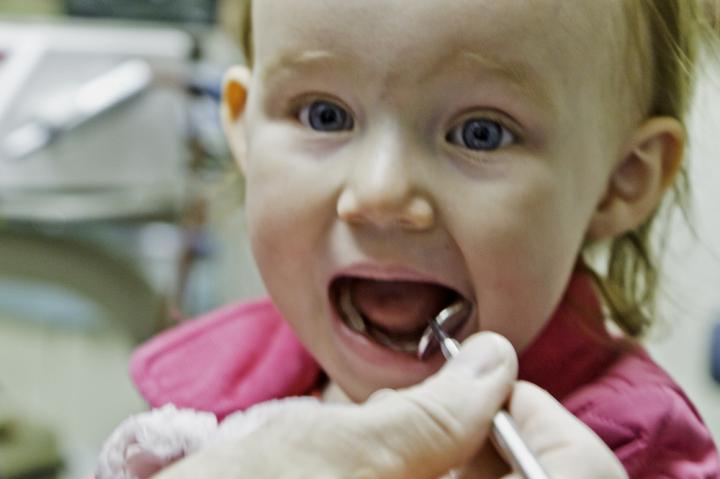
x: 441, y: 423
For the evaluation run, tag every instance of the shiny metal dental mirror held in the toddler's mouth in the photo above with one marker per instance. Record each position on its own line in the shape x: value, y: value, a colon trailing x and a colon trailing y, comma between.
x: 440, y: 332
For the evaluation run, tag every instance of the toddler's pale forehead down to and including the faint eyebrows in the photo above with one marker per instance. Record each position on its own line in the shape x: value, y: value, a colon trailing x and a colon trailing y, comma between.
x: 551, y: 46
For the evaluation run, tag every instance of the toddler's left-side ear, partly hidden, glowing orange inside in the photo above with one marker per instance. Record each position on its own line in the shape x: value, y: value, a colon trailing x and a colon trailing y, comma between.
x: 234, y: 100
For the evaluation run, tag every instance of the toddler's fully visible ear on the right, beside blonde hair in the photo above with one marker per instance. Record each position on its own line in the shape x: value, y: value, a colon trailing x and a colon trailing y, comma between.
x: 649, y: 163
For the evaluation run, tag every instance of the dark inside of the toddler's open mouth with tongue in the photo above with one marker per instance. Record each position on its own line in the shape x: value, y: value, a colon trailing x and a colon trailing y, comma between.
x: 393, y: 314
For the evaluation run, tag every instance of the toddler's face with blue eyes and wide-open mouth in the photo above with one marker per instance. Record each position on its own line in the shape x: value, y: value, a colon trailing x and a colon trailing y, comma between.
x: 403, y: 154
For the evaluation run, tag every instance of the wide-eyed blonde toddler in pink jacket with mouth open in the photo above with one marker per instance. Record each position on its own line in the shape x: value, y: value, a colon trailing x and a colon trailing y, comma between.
x: 401, y: 156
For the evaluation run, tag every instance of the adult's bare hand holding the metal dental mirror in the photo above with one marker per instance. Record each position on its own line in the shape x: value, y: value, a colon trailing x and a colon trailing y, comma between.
x: 420, y: 432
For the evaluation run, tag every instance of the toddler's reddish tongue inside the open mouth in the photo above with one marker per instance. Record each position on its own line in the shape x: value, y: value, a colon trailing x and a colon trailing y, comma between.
x: 399, y: 306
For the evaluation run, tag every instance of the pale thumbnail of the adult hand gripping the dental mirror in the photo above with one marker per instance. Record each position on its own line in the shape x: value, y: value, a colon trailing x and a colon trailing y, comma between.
x: 484, y: 352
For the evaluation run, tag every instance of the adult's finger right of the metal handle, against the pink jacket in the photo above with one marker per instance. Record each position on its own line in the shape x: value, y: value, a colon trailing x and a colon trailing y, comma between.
x: 565, y: 446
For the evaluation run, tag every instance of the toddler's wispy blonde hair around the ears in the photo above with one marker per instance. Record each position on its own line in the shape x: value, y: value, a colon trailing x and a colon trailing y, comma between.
x: 667, y: 34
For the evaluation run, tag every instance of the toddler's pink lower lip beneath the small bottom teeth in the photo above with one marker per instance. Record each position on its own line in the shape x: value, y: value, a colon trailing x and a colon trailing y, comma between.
x: 373, y: 353
